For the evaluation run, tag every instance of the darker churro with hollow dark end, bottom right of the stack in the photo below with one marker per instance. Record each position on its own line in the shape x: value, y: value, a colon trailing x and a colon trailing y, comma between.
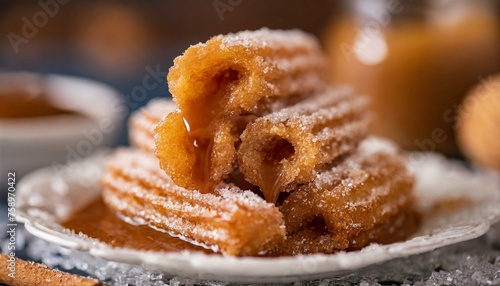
x: 367, y: 198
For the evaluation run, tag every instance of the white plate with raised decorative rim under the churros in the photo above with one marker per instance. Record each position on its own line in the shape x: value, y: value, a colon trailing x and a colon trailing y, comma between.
x: 45, y: 199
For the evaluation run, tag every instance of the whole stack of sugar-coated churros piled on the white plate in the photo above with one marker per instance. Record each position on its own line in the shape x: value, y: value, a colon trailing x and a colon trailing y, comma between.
x: 259, y: 156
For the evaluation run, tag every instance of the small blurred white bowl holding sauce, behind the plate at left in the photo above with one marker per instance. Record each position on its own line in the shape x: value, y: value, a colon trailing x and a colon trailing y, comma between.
x: 29, y: 143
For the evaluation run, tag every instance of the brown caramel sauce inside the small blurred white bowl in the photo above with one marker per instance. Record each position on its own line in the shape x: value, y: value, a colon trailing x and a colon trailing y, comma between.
x: 20, y: 104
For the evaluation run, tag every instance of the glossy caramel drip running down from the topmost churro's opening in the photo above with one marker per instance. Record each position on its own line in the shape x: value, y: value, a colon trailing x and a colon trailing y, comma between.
x: 200, y: 121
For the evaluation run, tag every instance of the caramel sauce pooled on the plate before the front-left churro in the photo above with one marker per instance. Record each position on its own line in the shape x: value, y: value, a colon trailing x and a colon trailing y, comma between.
x: 97, y: 221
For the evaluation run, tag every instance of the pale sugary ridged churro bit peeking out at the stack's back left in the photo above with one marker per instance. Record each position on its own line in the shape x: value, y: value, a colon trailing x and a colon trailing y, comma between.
x: 142, y: 123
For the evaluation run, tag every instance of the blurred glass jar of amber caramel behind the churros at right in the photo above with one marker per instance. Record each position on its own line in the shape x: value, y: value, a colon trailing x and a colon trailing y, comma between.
x: 416, y: 60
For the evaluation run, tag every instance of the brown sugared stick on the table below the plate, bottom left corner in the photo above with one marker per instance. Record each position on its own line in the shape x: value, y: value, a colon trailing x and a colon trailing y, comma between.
x: 30, y: 273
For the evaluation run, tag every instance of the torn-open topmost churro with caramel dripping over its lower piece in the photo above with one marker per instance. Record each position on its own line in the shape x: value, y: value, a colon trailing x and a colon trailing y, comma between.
x: 222, y: 84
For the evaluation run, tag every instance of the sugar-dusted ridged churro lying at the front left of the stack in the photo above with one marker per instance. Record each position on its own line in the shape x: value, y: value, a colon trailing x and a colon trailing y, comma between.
x: 233, y: 221
